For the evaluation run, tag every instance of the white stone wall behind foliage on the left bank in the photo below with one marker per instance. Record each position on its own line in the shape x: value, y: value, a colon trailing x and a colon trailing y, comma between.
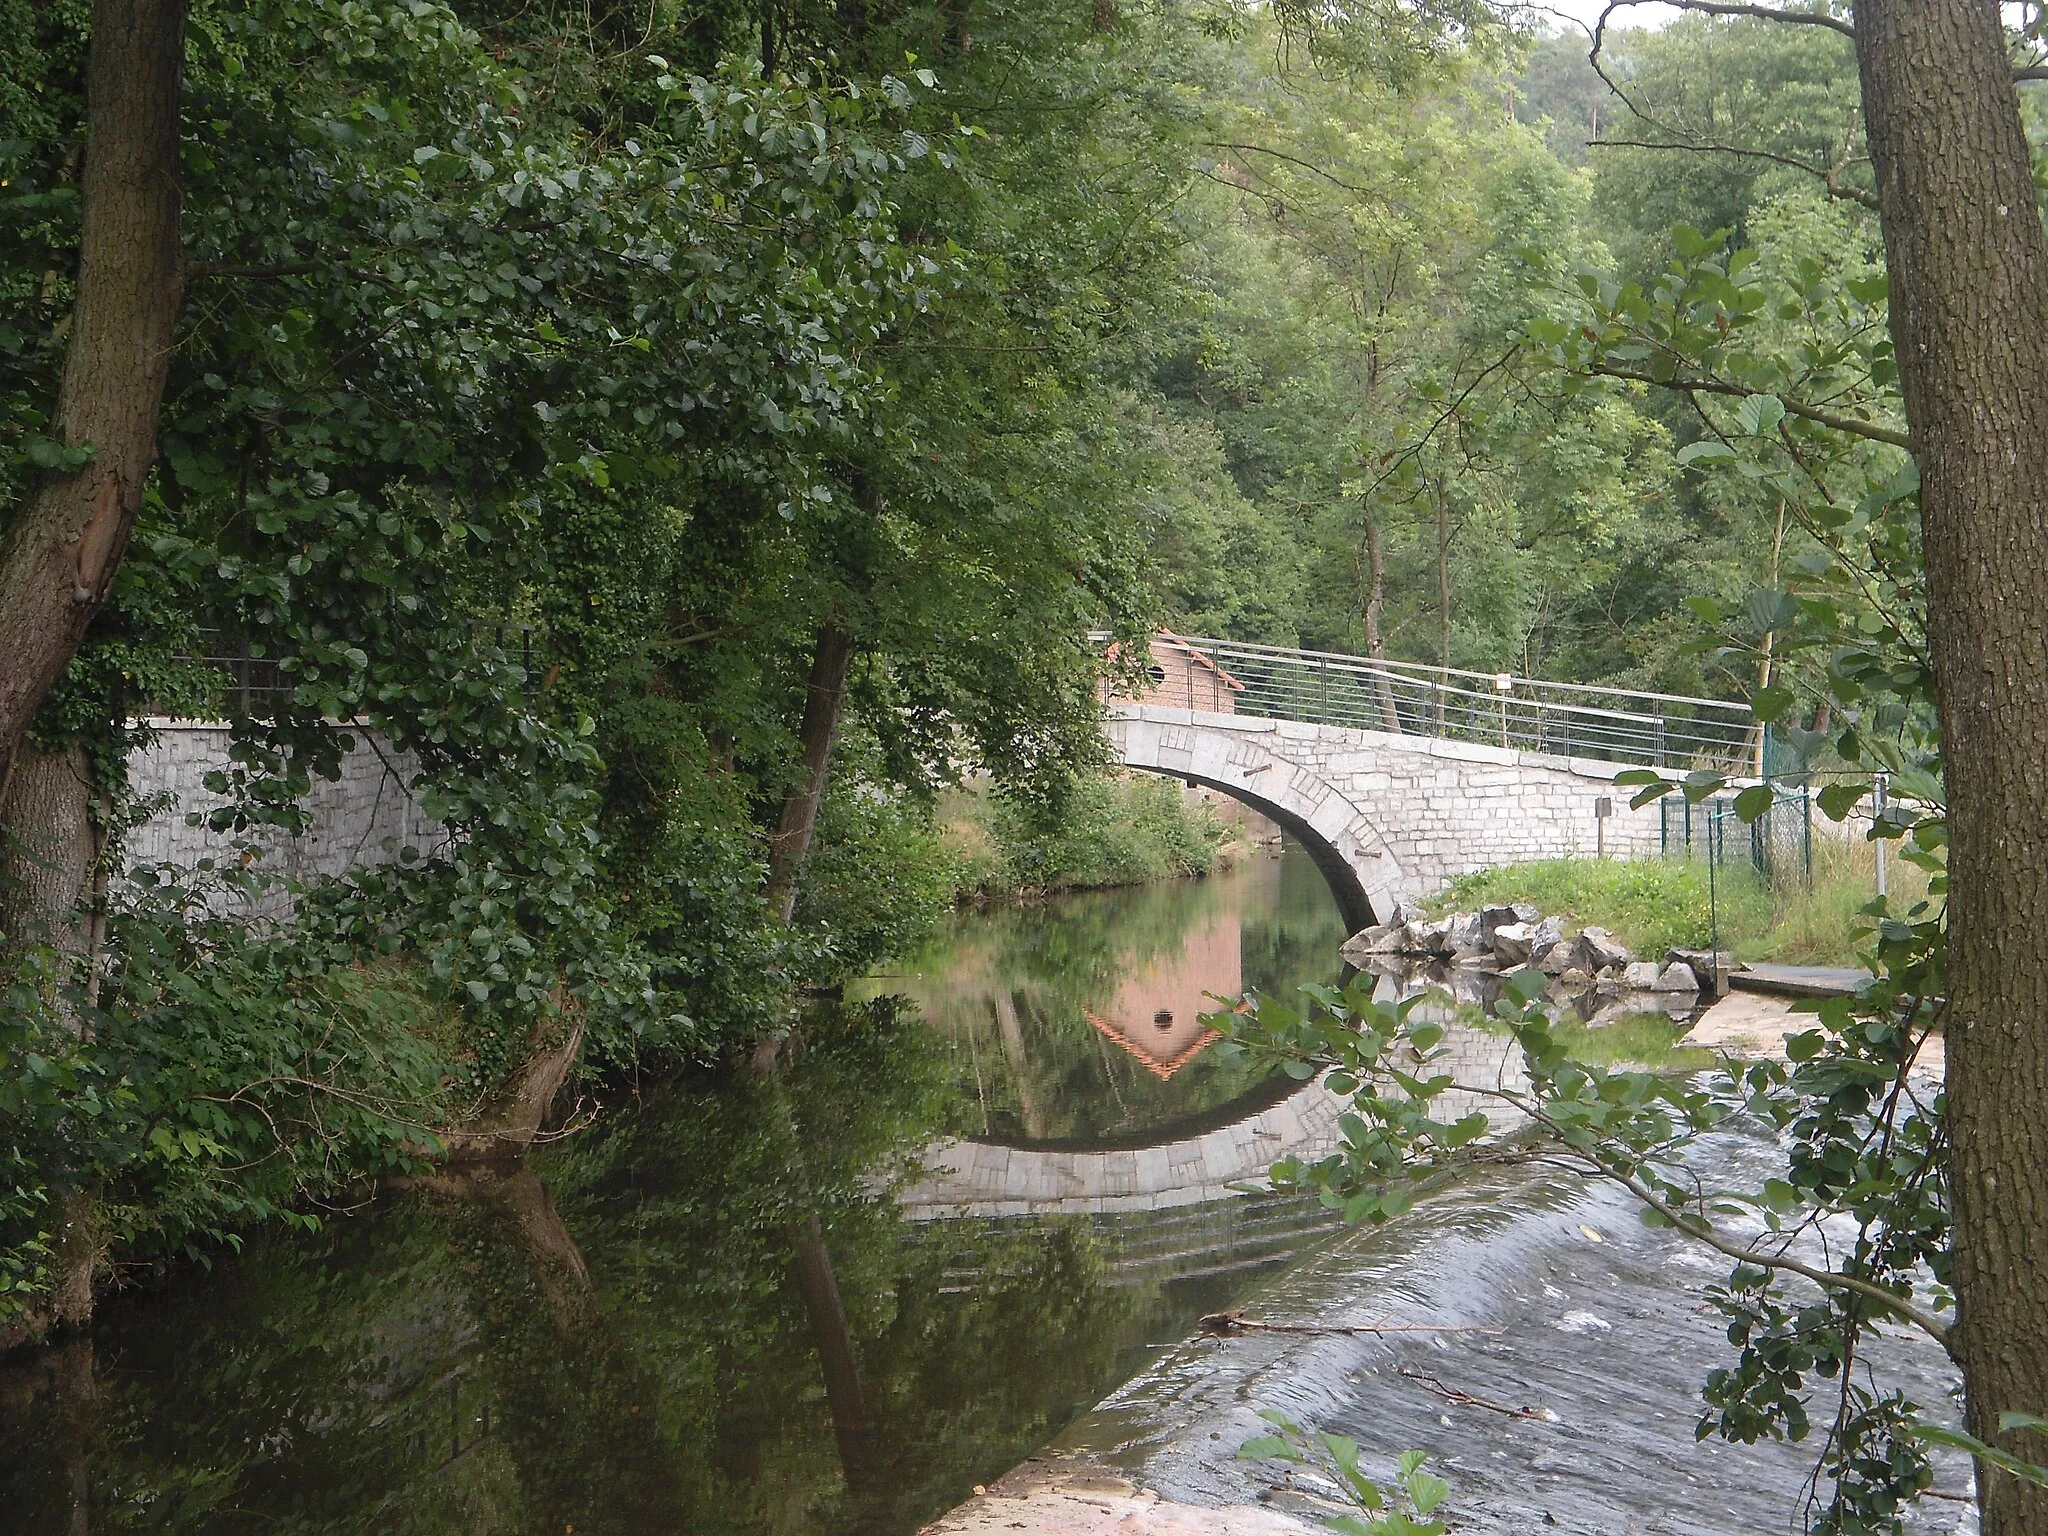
x: 364, y: 818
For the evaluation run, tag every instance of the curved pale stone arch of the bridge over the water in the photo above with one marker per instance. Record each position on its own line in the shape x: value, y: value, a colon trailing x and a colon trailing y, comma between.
x: 1242, y: 757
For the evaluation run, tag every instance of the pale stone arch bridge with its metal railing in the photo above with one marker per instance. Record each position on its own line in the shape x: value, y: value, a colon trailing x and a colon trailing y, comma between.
x: 1396, y: 777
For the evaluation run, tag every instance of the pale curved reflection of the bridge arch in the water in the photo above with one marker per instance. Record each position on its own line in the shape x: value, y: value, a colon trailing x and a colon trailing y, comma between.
x: 978, y: 1179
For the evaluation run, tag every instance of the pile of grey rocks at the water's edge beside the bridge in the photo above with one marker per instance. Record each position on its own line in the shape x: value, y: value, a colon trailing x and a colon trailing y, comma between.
x: 1517, y: 937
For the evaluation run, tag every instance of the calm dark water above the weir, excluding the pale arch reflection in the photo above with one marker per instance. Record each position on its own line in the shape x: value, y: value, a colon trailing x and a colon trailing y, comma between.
x: 710, y: 1314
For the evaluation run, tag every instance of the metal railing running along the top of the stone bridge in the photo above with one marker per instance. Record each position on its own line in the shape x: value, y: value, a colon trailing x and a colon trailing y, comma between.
x: 1500, y: 710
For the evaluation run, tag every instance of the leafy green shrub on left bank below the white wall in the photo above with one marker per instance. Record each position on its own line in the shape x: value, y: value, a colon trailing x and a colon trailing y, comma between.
x: 224, y: 1076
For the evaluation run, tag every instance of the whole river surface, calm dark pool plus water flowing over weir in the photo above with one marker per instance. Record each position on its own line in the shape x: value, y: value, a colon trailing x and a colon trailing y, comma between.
x: 957, y: 1234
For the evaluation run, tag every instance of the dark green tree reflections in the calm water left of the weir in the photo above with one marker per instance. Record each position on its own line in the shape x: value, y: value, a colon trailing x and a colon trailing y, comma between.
x: 441, y: 1365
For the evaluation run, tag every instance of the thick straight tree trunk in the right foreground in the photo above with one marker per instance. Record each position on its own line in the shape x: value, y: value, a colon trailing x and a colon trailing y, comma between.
x: 1969, y: 310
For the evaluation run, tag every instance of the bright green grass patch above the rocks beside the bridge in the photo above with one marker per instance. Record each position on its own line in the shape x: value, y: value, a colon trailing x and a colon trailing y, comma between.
x: 1658, y: 904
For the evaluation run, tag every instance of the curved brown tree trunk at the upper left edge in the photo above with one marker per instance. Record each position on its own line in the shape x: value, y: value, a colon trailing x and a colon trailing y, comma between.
x: 67, y: 542
